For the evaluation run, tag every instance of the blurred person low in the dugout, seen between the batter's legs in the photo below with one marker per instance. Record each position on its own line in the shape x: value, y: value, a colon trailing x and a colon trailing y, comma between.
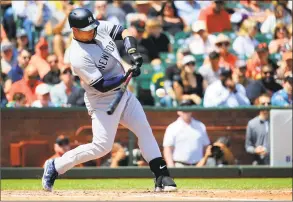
x: 116, y: 157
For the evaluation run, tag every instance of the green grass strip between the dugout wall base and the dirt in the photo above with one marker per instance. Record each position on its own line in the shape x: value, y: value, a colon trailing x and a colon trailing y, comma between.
x: 112, y: 184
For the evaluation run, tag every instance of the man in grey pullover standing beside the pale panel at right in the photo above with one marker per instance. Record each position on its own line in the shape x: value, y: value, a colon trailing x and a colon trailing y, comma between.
x: 257, y: 134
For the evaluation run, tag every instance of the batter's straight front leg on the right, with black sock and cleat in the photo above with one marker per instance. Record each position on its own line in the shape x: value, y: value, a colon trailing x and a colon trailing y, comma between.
x: 135, y: 119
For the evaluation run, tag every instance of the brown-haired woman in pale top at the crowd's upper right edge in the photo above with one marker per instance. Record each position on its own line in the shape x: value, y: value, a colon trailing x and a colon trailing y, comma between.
x: 281, y: 42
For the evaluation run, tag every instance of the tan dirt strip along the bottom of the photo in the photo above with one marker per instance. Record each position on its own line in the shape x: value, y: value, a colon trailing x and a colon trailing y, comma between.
x: 132, y: 195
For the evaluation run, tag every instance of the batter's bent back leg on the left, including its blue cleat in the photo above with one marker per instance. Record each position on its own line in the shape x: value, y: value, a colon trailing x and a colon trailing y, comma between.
x: 104, y: 129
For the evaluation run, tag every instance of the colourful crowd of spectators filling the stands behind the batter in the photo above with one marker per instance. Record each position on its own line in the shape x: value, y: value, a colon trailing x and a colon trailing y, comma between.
x: 214, y: 53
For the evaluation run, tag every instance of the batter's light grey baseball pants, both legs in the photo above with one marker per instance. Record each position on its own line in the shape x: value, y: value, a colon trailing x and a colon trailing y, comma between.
x: 129, y: 113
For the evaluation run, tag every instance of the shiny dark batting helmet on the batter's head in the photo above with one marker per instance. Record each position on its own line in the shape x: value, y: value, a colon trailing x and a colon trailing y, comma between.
x: 82, y: 19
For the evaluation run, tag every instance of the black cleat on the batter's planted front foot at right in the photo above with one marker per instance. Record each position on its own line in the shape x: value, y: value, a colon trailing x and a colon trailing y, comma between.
x: 165, y: 184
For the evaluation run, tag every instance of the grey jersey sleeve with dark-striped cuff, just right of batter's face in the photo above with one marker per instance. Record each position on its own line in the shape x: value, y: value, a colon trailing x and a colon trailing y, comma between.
x: 115, y: 31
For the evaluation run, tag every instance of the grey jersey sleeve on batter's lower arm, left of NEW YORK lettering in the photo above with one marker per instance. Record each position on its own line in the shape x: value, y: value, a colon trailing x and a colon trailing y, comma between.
x: 86, y: 69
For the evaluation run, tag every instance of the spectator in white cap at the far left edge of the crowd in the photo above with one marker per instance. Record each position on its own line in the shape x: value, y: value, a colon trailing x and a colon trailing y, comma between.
x: 7, y: 59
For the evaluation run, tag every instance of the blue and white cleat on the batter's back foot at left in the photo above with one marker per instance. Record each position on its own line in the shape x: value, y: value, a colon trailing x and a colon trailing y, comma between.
x: 49, y: 176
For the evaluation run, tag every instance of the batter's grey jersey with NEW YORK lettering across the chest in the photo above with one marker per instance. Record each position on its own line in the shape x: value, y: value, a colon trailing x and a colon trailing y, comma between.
x: 98, y: 59
